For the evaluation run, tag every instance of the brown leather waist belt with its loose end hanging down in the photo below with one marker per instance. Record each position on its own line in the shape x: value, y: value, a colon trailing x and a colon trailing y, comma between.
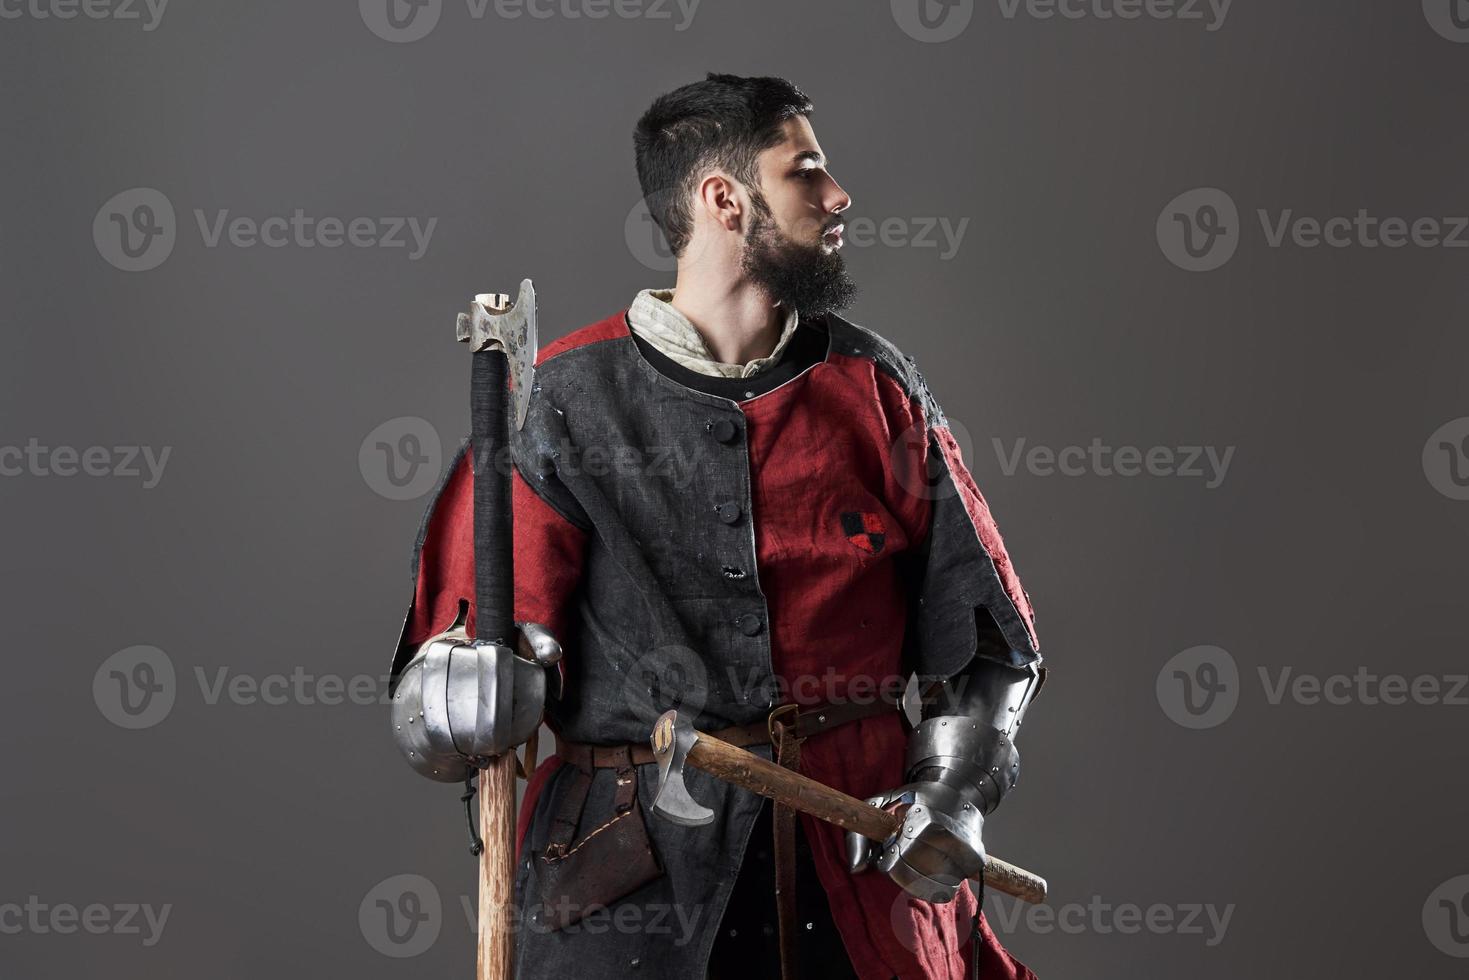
x: 785, y: 728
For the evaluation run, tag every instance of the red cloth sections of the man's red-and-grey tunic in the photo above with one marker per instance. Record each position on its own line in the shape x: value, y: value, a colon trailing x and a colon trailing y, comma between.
x: 815, y: 593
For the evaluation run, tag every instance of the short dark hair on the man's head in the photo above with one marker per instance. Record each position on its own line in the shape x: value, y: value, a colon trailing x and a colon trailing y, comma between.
x: 722, y: 123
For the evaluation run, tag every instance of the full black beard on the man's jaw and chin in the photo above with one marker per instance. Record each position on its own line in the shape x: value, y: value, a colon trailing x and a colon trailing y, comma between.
x: 801, y: 278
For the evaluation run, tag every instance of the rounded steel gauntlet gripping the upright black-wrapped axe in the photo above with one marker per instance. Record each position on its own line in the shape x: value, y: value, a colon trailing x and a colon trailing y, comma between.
x: 461, y: 703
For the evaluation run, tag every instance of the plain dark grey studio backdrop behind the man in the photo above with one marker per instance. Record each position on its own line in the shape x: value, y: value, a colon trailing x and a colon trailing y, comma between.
x: 267, y: 549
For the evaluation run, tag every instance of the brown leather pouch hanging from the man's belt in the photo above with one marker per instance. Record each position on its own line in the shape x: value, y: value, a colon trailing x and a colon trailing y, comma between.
x: 613, y: 859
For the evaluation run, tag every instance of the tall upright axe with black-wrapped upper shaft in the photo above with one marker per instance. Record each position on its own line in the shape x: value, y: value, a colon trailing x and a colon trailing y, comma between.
x: 503, y: 339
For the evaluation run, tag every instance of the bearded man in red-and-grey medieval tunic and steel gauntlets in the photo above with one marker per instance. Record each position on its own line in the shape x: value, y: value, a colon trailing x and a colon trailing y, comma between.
x: 734, y: 502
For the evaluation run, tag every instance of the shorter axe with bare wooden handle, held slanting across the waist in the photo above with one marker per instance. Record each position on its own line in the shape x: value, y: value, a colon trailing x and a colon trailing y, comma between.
x: 676, y: 744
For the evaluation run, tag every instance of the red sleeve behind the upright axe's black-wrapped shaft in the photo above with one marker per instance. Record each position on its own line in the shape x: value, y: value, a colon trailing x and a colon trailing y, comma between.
x: 549, y: 559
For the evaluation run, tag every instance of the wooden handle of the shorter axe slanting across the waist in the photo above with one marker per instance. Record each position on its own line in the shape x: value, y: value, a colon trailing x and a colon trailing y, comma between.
x: 801, y: 793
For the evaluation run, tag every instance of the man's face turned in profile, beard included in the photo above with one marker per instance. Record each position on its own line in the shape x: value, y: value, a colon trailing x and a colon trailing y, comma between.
x: 794, y: 236
